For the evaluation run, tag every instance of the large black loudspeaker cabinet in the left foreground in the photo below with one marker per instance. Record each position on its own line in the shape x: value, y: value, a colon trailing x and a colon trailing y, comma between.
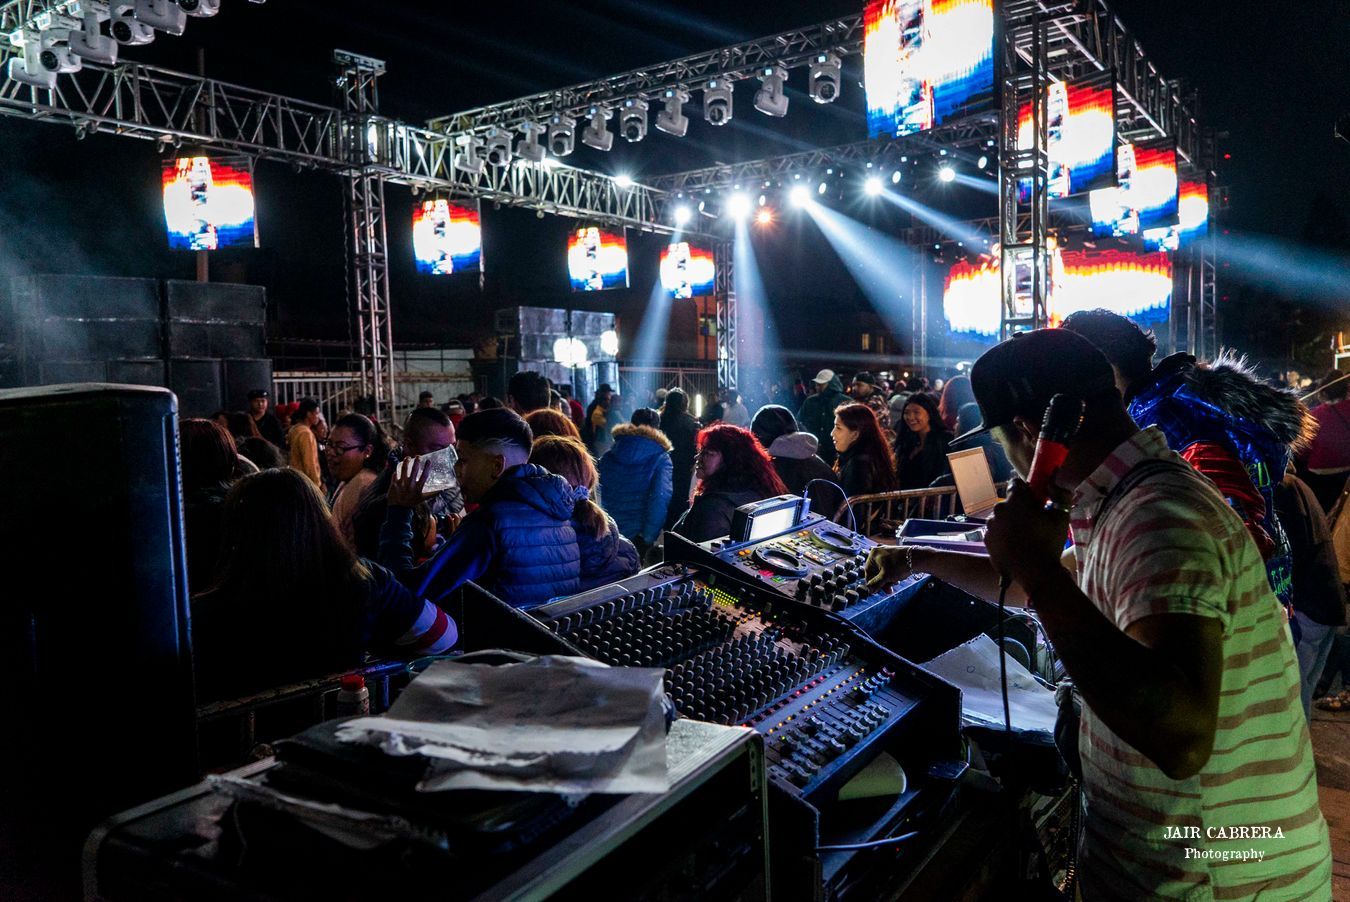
x: 94, y: 627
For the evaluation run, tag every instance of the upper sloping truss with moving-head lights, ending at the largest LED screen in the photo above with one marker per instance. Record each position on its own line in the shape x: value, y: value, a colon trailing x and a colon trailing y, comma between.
x: 789, y: 49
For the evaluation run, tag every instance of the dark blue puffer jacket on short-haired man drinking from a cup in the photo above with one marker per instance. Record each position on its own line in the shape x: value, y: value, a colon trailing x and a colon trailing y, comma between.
x: 519, y: 545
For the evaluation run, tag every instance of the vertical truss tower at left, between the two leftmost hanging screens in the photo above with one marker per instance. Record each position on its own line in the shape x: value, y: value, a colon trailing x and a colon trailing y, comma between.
x: 367, y: 145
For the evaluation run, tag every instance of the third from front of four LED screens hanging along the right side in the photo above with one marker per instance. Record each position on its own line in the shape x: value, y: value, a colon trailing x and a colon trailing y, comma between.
x: 1145, y: 195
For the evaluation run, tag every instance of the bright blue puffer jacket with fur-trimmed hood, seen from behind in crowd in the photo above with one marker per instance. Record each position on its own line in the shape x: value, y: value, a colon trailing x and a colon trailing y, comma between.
x: 635, y: 481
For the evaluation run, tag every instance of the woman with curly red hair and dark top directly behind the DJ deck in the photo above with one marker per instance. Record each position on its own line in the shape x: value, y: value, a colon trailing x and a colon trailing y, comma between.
x: 732, y: 469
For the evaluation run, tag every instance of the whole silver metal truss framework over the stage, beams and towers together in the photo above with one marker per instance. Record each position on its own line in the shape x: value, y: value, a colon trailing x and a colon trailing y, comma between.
x: 1040, y: 41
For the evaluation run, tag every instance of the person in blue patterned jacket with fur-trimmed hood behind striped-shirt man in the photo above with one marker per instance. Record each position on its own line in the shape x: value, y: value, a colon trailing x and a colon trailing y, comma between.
x: 1225, y: 422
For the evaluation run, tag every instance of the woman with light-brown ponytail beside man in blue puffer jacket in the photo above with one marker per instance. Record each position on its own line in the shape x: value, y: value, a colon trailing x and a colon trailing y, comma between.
x: 607, y: 556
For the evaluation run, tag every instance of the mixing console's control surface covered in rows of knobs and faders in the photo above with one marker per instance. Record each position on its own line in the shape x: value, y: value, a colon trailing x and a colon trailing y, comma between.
x: 820, y: 696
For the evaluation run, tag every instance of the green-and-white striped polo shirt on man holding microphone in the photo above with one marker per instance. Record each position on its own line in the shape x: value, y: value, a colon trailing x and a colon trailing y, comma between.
x: 1248, y: 824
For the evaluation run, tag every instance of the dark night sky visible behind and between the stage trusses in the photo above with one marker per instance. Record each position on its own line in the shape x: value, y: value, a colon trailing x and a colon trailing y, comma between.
x: 1272, y: 76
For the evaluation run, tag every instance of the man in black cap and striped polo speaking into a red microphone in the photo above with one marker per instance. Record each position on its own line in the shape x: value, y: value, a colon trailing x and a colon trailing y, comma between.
x: 1198, y: 772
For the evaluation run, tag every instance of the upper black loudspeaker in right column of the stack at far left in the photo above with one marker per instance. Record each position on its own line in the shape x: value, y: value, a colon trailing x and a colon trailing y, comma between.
x: 210, y: 319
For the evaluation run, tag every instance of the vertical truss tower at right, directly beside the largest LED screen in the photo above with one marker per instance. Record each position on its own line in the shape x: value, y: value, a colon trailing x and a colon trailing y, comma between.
x: 1024, y: 237
